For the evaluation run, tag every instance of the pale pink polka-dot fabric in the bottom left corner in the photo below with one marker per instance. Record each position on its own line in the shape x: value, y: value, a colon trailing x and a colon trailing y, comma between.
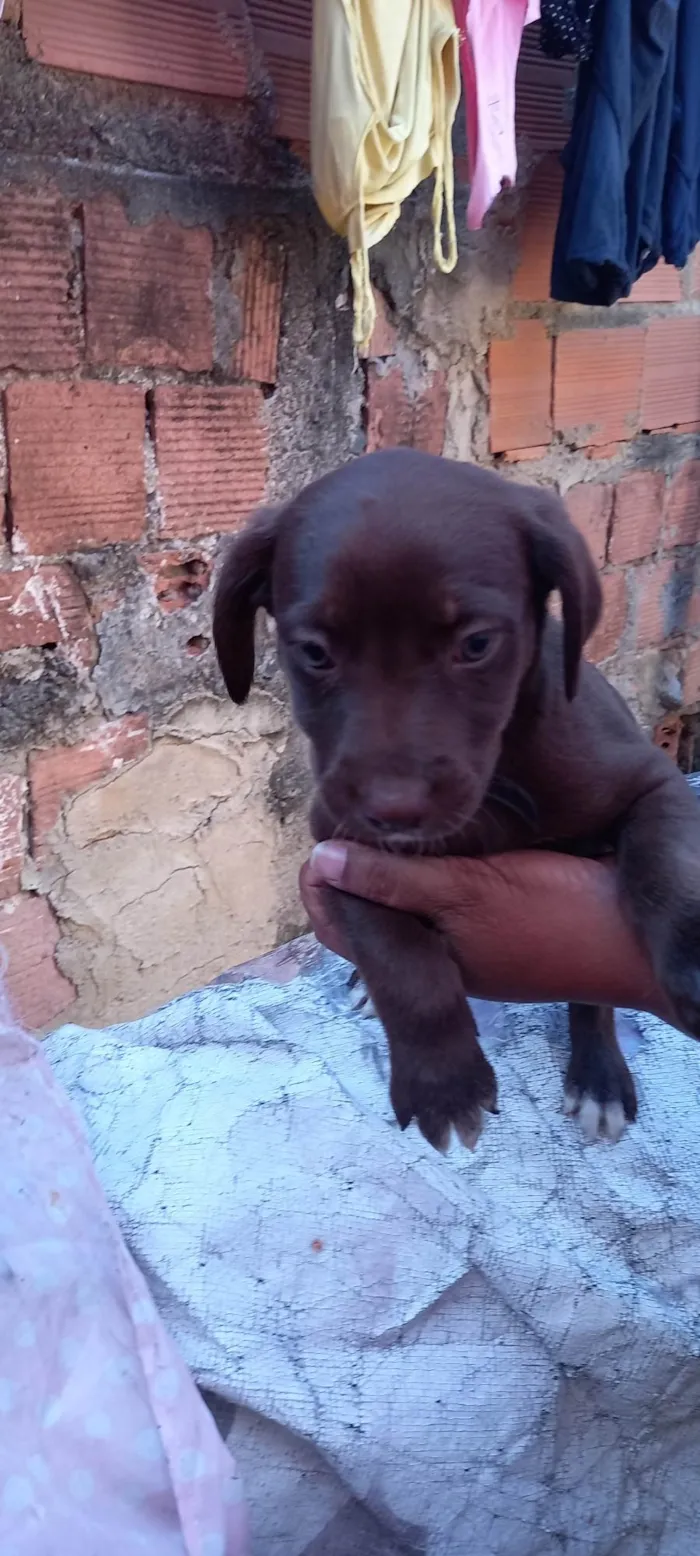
x: 105, y: 1445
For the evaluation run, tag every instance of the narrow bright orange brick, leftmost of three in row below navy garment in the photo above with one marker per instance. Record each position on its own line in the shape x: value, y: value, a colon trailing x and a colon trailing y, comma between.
x: 522, y: 388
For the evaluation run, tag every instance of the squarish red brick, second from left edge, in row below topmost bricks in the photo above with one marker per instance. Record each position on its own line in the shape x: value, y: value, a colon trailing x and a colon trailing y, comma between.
x: 147, y: 292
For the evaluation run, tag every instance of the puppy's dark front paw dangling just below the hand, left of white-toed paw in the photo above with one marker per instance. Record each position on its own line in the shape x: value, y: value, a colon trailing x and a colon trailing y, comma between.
x: 444, y: 1087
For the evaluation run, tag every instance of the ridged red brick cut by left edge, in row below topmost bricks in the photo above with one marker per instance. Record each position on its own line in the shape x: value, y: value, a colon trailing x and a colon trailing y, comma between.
x: 40, y: 324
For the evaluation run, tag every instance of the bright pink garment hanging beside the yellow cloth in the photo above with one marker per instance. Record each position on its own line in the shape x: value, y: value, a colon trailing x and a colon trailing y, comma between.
x: 491, y: 37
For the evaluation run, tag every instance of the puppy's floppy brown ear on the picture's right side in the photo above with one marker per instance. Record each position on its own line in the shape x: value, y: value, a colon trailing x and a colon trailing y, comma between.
x: 561, y: 559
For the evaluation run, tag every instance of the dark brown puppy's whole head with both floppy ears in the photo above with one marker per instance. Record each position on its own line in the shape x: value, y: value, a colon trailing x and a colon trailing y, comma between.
x: 410, y: 598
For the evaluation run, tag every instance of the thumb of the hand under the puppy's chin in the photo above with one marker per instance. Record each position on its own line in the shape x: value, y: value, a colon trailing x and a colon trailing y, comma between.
x: 415, y: 886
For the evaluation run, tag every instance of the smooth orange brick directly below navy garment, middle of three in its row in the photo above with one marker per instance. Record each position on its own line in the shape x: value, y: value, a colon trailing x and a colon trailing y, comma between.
x: 598, y: 385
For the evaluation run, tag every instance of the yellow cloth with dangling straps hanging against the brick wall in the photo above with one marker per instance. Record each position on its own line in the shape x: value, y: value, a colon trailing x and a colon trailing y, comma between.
x: 385, y: 89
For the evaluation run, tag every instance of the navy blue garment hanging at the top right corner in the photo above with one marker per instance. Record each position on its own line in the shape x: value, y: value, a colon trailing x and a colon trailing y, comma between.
x: 632, y: 166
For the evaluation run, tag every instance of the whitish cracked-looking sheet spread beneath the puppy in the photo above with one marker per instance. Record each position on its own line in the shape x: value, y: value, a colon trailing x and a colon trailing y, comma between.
x: 494, y: 1353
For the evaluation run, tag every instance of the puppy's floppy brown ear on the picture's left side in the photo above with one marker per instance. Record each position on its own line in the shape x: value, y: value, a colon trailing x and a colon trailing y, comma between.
x: 243, y: 587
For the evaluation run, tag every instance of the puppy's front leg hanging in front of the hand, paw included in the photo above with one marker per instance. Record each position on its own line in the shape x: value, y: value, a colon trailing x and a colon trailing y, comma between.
x: 439, y: 1074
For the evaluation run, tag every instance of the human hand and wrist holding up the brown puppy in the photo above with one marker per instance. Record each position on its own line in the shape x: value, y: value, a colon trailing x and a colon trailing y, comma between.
x: 527, y: 927
